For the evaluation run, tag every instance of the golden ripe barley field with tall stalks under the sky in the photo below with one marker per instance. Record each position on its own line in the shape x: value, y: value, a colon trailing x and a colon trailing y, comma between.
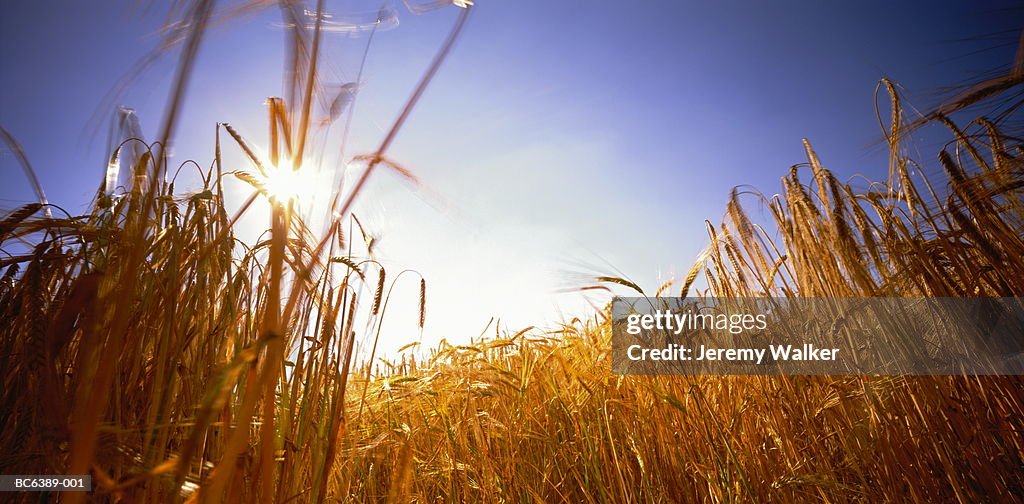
x: 144, y: 345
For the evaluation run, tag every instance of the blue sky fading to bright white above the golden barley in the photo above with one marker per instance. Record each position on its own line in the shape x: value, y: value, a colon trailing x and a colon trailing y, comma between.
x: 563, y: 137
